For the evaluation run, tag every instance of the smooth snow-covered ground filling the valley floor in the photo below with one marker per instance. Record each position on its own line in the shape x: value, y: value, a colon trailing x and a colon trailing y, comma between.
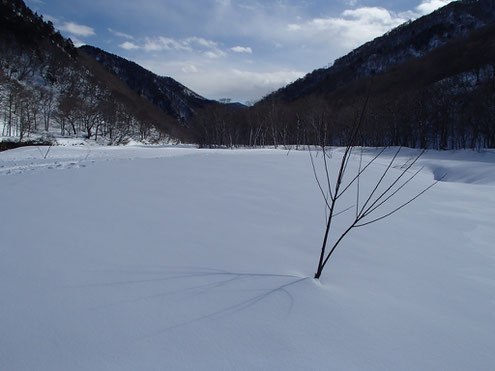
x: 166, y: 258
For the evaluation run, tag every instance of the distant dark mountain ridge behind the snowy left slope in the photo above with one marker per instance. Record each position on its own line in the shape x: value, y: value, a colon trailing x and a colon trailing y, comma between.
x: 169, y: 95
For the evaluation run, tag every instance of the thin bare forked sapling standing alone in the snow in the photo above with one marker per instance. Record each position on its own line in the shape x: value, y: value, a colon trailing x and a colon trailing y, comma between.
x: 370, y: 207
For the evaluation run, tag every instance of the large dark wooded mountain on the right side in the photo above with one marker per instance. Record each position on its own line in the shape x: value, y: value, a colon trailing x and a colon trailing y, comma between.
x: 429, y: 83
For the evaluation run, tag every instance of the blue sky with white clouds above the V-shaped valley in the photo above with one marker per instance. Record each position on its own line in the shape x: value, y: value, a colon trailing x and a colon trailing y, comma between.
x: 238, y: 49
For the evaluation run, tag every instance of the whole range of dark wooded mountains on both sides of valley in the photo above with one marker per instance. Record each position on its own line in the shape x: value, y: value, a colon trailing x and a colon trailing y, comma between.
x: 429, y: 83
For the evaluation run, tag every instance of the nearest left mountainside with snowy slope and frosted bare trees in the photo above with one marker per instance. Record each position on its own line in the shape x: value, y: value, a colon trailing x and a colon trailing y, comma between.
x: 48, y: 87
